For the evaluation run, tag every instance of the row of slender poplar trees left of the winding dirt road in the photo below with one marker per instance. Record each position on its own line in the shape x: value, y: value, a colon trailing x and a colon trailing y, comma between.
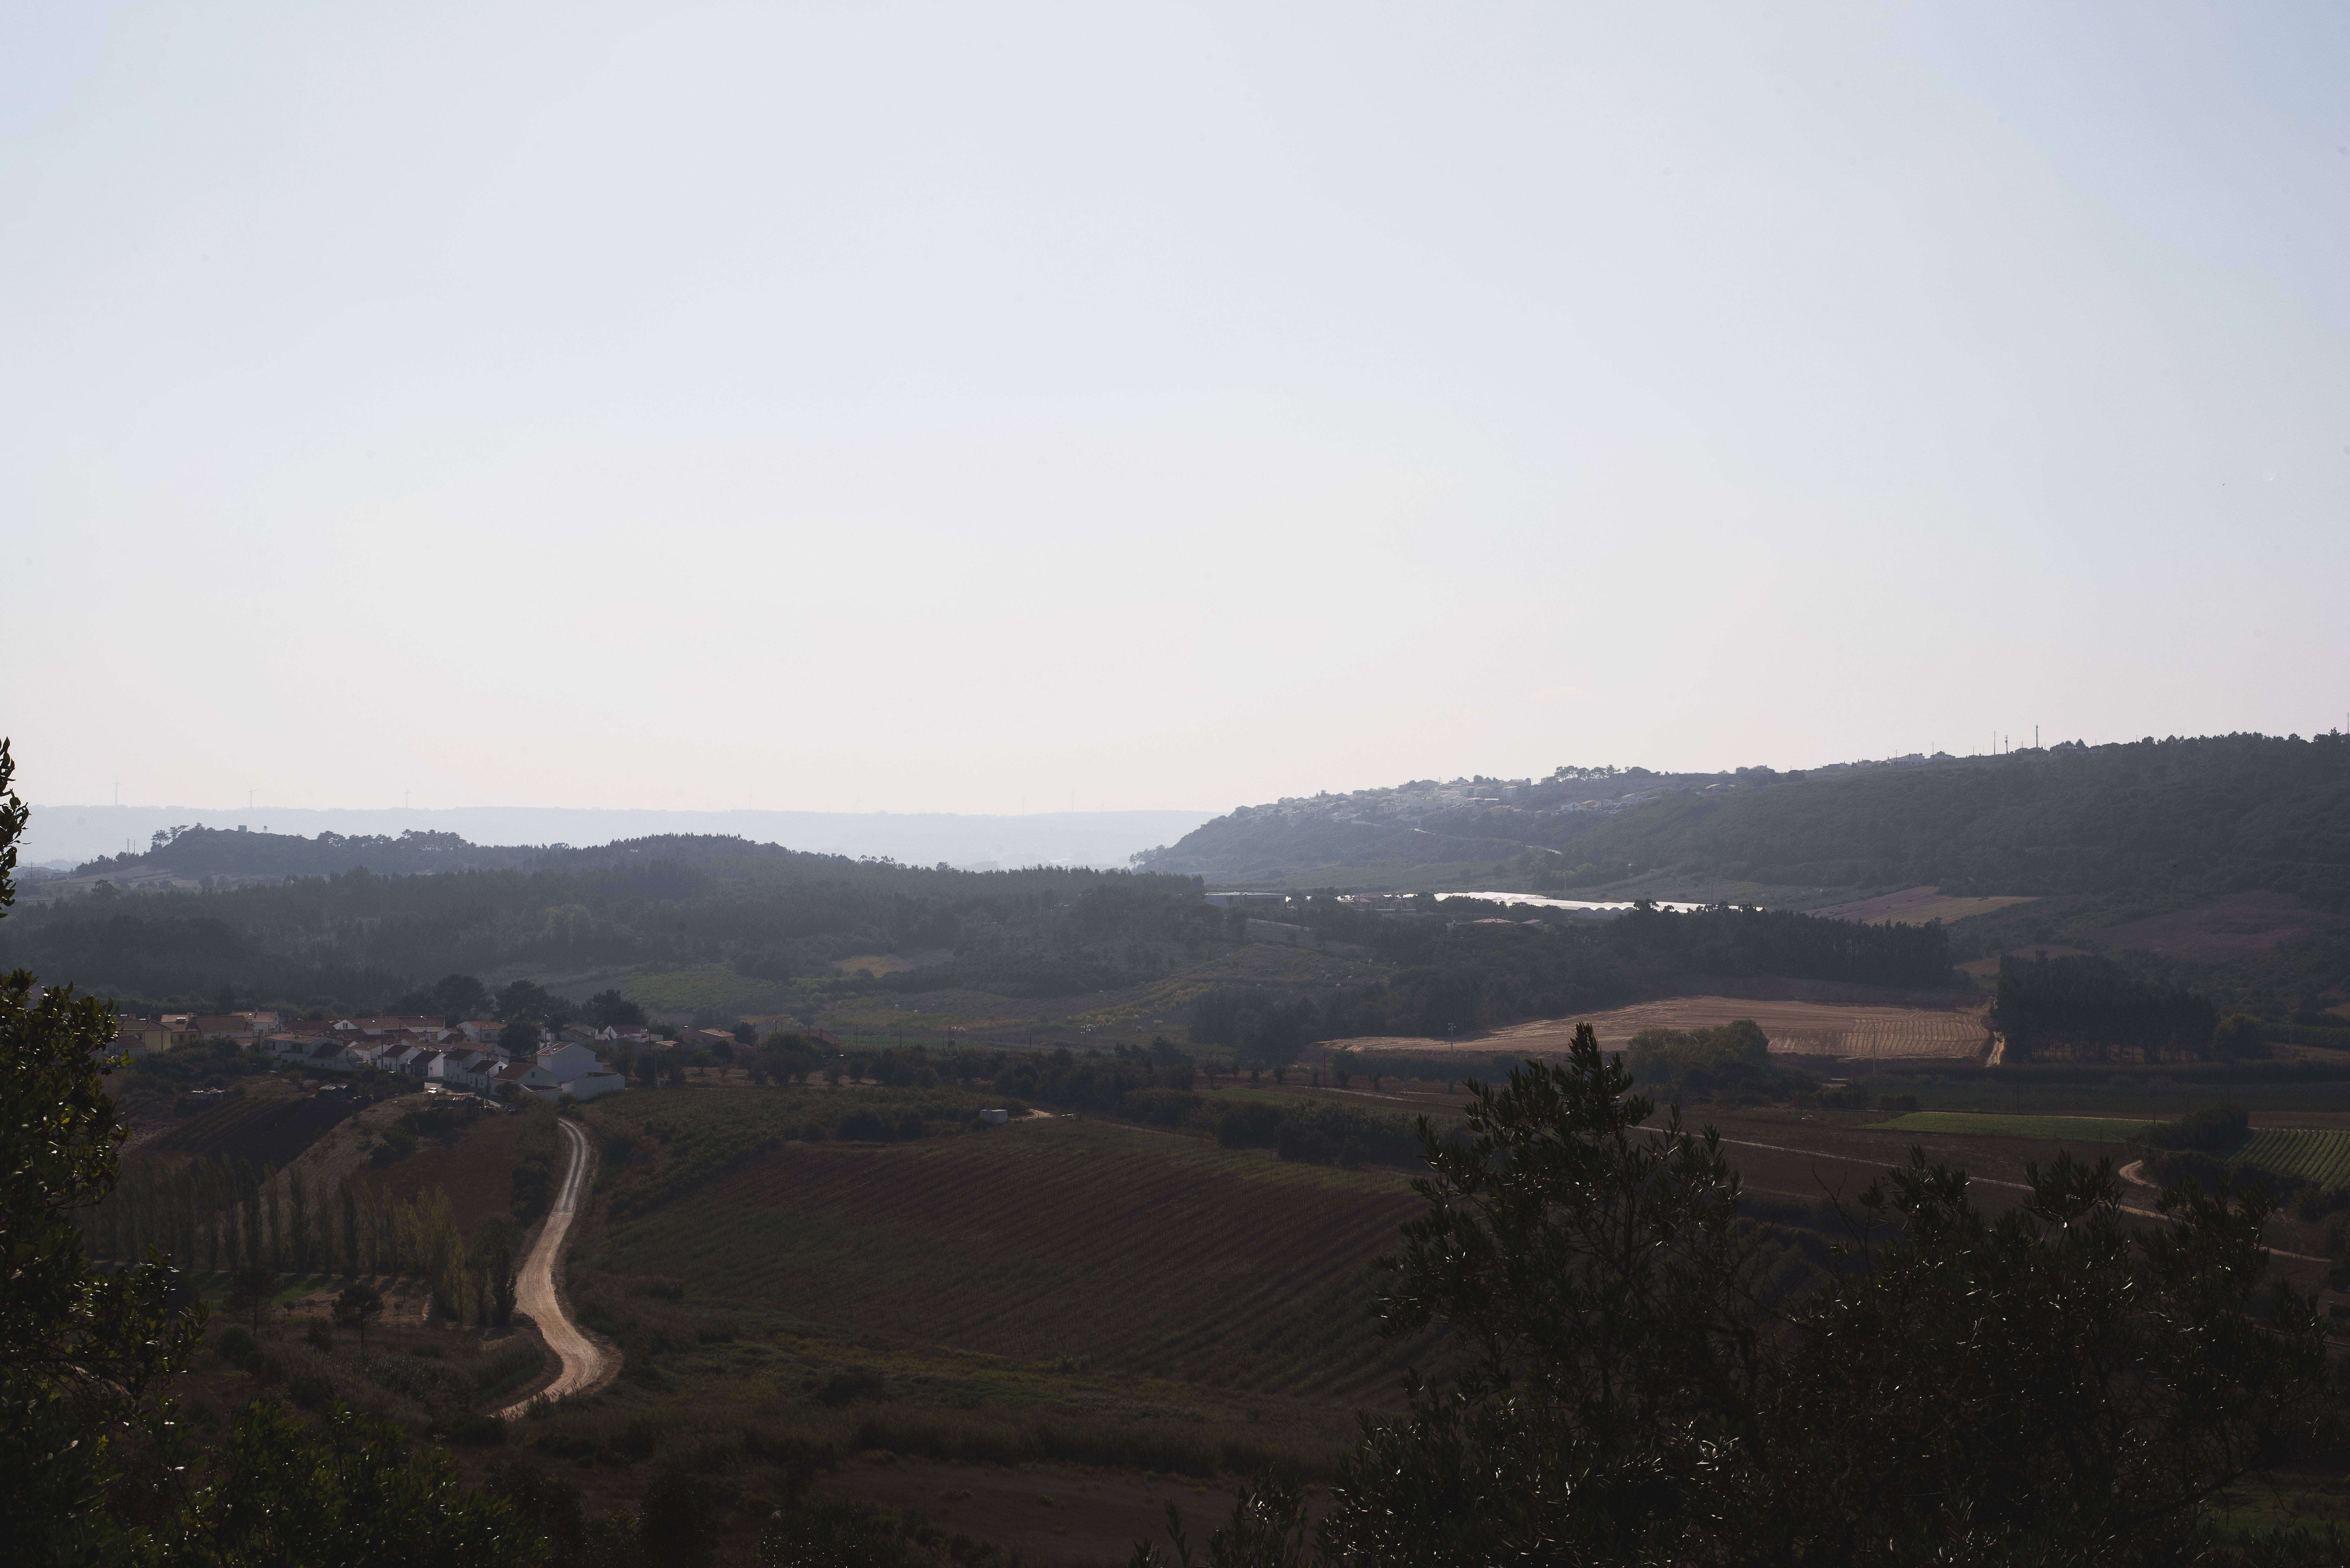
x: 222, y: 1214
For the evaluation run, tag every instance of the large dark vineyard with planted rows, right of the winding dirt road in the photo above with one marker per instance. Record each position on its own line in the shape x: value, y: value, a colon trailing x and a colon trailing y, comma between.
x: 1136, y: 1252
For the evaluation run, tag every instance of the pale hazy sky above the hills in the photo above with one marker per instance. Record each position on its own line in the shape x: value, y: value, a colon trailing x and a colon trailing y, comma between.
x: 993, y: 408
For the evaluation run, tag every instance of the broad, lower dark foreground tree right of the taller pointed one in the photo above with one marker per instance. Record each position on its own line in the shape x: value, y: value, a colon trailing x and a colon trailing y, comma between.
x: 2055, y: 1383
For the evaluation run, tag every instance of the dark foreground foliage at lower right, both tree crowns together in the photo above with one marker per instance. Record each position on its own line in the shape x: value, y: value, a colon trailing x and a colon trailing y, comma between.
x: 2043, y: 1388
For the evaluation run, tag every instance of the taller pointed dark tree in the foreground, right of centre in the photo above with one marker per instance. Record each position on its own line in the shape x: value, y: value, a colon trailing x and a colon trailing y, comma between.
x: 1602, y: 1285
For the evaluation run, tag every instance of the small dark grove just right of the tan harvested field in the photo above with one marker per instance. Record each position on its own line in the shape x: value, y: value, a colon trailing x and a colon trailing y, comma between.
x: 2095, y: 1010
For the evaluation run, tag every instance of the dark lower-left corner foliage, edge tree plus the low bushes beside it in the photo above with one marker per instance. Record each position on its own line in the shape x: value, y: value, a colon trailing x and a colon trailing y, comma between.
x: 98, y: 1468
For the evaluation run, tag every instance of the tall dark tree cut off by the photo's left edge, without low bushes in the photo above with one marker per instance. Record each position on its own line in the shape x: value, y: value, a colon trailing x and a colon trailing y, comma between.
x: 86, y: 1355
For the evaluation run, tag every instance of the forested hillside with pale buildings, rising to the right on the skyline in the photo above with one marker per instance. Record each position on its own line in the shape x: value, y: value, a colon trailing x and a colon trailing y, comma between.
x: 2177, y: 819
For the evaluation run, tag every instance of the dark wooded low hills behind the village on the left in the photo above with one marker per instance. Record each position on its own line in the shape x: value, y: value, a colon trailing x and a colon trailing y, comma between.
x: 361, y: 937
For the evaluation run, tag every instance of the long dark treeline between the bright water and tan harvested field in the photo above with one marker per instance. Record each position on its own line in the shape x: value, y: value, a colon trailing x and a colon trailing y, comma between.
x: 1475, y: 977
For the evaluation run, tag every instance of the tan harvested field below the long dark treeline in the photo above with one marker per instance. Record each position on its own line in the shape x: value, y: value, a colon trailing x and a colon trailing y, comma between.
x: 1797, y: 1028
